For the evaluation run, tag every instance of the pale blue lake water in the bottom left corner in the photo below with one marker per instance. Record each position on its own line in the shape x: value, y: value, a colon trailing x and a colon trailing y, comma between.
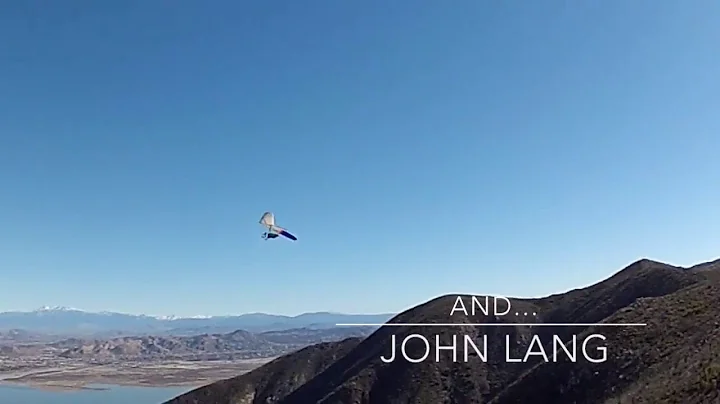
x: 115, y: 395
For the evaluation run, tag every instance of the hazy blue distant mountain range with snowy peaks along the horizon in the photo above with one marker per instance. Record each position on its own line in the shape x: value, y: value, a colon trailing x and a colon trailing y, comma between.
x: 63, y: 321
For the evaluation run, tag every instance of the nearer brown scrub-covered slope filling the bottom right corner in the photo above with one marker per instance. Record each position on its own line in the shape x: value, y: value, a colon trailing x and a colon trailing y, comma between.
x: 675, y: 359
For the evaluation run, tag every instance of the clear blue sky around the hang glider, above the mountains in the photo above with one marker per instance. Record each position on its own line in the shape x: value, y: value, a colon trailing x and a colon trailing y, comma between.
x: 416, y: 148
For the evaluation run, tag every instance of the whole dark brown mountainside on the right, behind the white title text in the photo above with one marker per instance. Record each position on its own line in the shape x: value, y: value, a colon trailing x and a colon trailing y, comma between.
x: 675, y: 358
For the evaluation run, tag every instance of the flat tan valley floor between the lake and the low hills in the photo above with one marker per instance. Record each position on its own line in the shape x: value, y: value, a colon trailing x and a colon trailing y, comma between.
x: 154, y: 374
